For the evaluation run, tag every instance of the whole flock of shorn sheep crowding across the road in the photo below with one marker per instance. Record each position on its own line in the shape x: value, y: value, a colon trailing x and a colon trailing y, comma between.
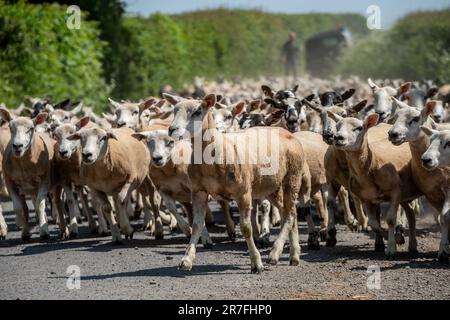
x: 377, y: 150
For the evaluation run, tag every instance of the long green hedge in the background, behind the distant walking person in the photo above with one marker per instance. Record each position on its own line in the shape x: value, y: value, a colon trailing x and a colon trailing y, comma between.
x: 162, y: 50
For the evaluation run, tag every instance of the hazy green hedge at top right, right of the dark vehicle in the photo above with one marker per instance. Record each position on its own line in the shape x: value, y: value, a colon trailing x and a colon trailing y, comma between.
x: 417, y: 47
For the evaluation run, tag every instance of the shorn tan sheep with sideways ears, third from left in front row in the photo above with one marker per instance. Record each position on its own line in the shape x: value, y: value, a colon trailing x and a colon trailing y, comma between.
x: 114, y: 164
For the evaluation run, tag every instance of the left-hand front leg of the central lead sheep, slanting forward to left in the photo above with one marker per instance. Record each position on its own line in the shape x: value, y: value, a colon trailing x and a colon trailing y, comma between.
x: 199, y: 203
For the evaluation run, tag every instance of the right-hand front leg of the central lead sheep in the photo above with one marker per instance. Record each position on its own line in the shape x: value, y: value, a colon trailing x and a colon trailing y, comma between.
x: 245, y: 213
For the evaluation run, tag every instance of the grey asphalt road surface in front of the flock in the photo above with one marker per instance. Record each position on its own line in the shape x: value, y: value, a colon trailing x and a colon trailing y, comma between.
x: 143, y: 268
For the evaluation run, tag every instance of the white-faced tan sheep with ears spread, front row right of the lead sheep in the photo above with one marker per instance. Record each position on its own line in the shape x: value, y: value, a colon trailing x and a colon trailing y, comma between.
x: 378, y: 172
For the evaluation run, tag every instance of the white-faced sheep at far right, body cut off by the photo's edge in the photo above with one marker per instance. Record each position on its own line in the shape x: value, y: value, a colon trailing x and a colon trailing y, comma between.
x: 436, y: 159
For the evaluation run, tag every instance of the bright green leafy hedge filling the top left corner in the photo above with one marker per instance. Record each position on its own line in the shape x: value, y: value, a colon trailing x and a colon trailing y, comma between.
x: 40, y: 56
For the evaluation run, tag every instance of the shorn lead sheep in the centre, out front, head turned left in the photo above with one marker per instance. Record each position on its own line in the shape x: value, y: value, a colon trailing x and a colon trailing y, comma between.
x: 246, y: 181
